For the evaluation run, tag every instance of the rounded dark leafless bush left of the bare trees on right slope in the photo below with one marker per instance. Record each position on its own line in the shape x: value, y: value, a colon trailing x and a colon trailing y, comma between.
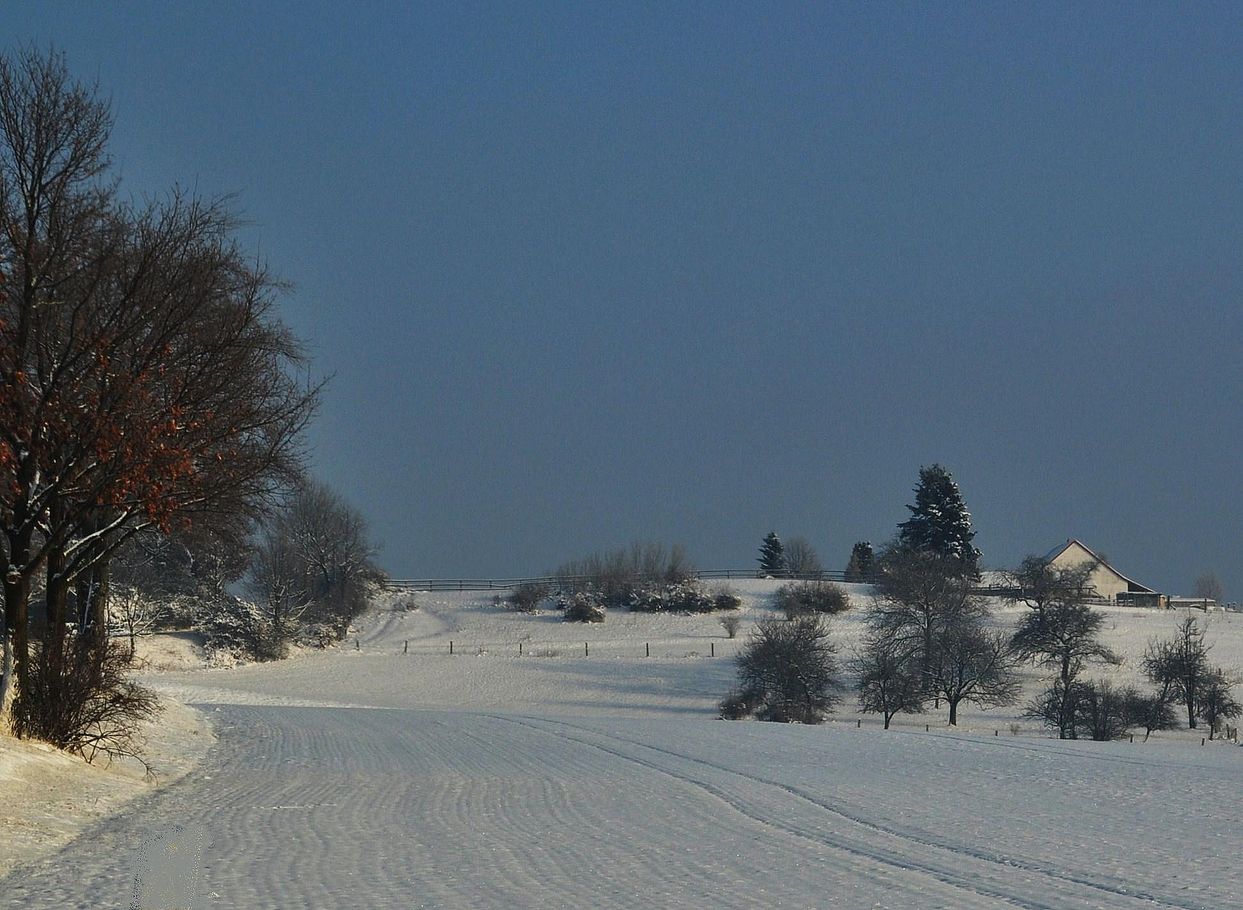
x: 789, y: 672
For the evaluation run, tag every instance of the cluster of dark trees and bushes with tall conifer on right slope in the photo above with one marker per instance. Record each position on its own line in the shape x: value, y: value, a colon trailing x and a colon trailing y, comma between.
x: 929, y: 640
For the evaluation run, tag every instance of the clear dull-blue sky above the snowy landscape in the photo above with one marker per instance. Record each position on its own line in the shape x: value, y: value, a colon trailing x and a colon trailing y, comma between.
x: 591, y: 273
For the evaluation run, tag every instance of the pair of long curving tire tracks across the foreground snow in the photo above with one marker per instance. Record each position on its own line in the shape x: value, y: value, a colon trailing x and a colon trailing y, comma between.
x: 1006, y: 866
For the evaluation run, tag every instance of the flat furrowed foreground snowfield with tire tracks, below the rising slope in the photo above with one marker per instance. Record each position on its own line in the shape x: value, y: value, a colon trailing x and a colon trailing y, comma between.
x: 313, y: 807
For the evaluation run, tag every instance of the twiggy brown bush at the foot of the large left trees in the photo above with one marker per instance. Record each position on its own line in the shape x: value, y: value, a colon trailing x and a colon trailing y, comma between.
x: 80, y: 698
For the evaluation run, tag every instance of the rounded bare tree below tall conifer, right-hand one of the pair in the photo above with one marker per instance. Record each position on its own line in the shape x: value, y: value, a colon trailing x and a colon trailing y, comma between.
x: 971, y: 664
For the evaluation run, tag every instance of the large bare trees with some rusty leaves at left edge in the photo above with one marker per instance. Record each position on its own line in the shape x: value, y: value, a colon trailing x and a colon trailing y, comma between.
x: 150, y: 397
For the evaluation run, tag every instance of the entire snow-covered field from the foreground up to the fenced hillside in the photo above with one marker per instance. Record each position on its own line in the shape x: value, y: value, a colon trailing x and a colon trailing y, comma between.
x: 562, y: 780
